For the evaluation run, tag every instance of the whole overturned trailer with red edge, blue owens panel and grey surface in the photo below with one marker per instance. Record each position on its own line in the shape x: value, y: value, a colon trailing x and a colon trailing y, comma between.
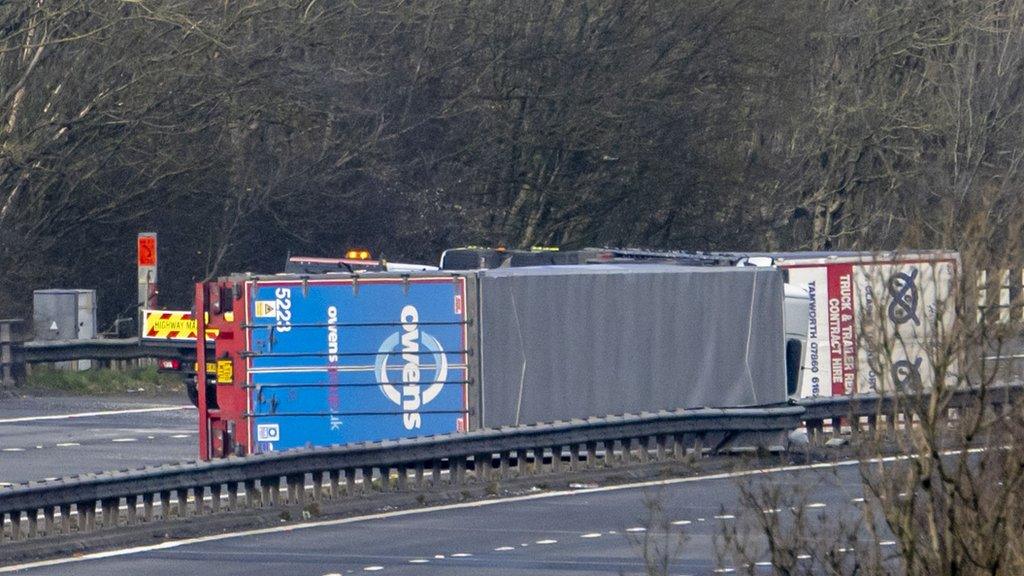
x: 340, y: 358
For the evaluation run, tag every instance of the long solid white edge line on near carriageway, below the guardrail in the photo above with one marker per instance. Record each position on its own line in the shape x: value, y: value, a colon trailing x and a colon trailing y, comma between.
x: 456, y: 507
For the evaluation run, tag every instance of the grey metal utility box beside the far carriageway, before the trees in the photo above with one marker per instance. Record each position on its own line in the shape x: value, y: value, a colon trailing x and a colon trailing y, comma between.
x: 65, y: 315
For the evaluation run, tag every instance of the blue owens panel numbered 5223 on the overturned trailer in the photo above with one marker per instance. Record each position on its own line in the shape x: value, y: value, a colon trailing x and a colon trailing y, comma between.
x: 333, y: 363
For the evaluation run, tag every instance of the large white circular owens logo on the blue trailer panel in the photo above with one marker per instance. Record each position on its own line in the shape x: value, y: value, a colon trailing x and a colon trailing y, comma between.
x: 410, y: 341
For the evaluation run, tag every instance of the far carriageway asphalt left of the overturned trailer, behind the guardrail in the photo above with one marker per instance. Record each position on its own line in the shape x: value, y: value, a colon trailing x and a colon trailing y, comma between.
x: 50, y: 437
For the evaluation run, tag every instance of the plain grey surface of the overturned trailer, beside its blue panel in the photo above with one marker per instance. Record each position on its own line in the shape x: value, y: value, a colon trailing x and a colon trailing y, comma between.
x: 579, y: 341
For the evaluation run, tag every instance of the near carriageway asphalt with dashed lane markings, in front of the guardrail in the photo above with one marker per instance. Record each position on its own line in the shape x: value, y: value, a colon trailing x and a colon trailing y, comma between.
x: 583, y: 533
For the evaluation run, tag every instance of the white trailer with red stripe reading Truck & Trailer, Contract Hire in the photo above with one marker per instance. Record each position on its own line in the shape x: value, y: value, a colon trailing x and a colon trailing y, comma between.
x: 873, y: 318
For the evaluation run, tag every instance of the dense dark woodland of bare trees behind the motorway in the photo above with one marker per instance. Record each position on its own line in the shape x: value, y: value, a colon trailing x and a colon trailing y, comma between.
x: 244, y: 131
